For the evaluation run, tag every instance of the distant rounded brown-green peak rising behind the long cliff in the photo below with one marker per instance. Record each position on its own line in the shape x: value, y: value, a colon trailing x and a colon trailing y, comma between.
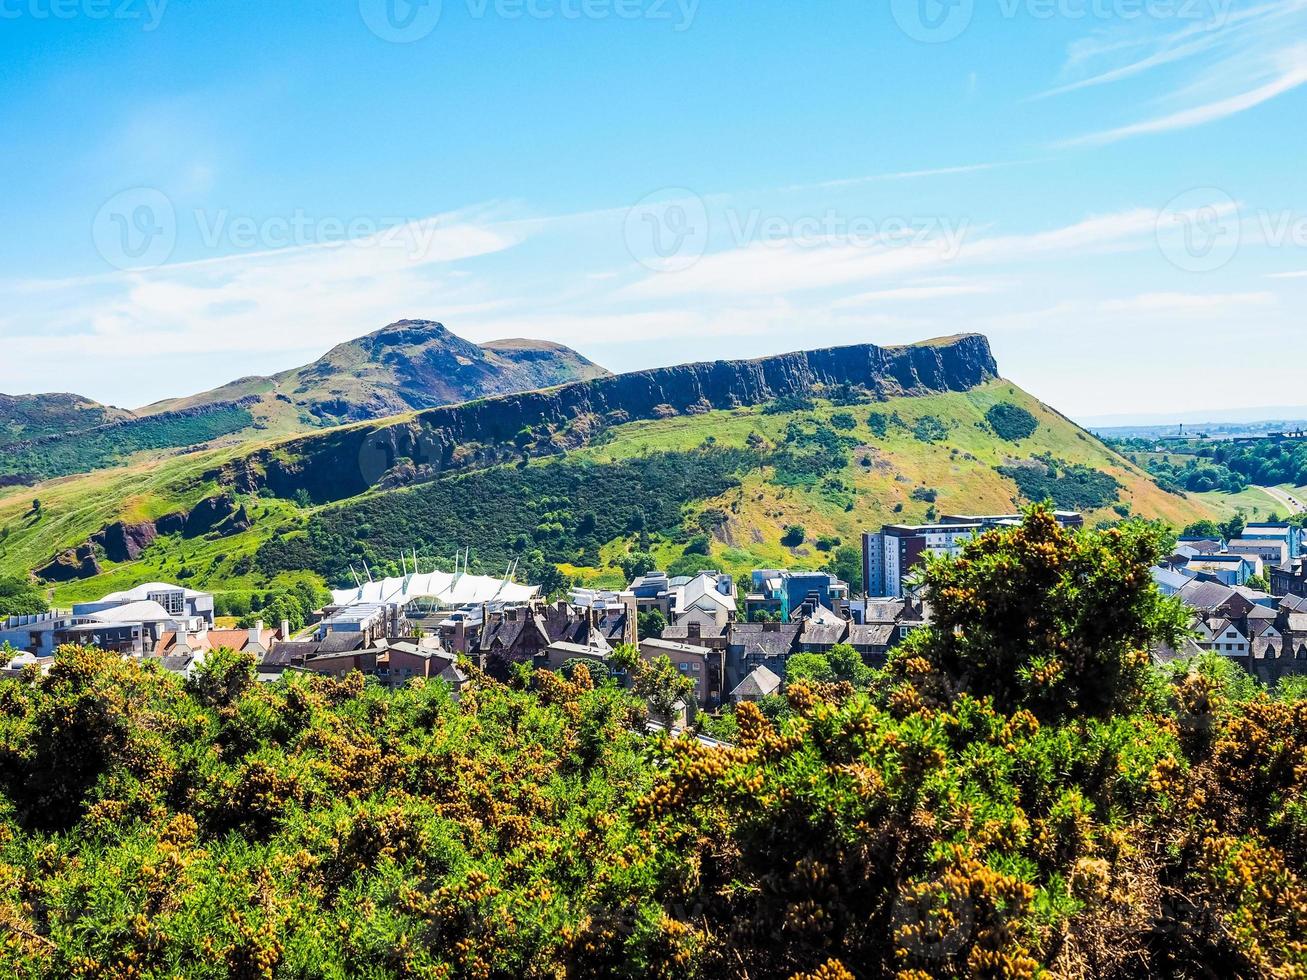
x: 408, y: 365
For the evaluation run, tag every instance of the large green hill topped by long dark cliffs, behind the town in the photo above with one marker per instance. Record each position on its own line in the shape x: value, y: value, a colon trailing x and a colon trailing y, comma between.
x: 710, y: 466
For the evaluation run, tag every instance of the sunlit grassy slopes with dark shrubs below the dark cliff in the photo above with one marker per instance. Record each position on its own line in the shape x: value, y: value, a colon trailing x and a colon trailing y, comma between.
x: 717, y: 489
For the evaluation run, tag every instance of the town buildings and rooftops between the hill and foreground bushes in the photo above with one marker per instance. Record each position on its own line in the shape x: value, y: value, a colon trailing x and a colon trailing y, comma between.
x: 733, y: 640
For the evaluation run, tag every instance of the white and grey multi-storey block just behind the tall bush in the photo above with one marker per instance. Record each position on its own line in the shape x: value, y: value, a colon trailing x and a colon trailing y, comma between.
x: 892, y: 553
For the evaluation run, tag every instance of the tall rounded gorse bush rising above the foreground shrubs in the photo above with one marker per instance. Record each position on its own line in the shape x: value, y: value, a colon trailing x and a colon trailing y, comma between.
x: 1045, y: 619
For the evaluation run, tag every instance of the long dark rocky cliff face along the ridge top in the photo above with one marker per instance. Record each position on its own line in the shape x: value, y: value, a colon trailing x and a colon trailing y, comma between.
x: 348, y: 462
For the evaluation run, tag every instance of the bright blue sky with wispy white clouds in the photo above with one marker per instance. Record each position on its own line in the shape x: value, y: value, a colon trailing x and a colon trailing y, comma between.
x: 1112, y: 190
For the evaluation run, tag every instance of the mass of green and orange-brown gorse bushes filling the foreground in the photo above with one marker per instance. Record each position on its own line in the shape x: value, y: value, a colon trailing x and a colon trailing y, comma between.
x: 1019, y: 794
